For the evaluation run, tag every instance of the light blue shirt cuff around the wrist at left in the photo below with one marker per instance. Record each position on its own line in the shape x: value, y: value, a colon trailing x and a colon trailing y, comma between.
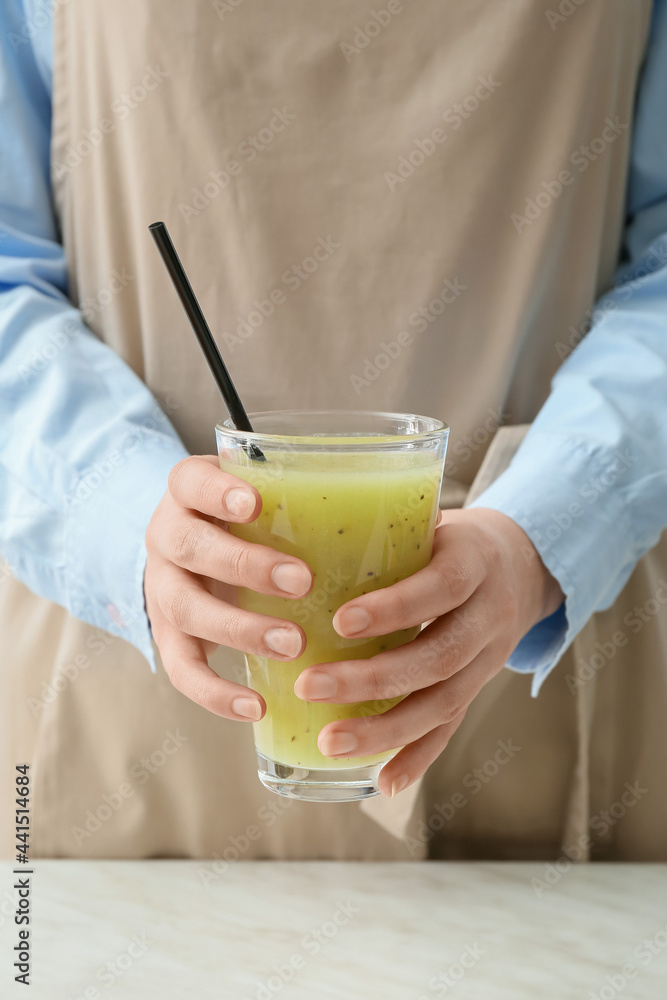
x: 108, y: 513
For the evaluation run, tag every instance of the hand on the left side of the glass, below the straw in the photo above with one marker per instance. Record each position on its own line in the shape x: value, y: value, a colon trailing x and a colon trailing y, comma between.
x: 193, y: 569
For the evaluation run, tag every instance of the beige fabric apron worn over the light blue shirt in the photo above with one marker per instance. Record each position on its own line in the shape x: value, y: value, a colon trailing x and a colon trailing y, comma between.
x: 368, y: 205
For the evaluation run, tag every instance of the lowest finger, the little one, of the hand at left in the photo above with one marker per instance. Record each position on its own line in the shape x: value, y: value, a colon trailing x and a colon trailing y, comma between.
x: 186, y: 666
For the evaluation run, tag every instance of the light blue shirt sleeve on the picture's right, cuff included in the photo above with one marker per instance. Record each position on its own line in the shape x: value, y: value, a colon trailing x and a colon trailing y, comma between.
x: 589, y: 482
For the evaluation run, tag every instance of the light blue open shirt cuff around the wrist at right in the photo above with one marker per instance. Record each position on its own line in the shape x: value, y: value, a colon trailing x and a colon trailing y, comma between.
x: 560, y: 491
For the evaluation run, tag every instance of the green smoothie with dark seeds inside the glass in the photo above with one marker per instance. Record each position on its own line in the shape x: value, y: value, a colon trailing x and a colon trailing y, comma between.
x: 361, y: 522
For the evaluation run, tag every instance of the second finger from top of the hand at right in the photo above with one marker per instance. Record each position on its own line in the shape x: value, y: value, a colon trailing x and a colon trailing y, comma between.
x: 437, y: 653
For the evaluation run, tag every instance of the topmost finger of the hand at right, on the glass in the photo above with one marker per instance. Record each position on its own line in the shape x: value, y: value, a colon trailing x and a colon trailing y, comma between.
x: 456, y: 570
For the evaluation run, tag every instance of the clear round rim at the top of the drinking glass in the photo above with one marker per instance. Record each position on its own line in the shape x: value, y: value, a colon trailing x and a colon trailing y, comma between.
x: 435, y: 430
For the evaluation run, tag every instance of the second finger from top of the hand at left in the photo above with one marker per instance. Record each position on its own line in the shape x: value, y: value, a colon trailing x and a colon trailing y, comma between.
x: 198, y: 545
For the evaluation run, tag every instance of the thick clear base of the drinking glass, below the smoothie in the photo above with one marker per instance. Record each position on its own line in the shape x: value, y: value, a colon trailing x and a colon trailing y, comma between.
x: 339, y: 785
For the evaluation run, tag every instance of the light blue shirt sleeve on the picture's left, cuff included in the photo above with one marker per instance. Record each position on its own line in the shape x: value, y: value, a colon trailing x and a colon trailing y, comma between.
x: 85, y: 450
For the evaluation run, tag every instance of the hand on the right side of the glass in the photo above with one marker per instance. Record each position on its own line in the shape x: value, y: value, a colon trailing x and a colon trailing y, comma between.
x: 485, y: 587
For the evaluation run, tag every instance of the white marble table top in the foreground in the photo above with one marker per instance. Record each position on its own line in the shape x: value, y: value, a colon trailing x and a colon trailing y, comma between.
x: 259, y: 930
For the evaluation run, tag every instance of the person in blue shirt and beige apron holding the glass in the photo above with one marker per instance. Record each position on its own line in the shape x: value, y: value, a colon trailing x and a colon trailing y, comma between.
x: 457, y: 175
